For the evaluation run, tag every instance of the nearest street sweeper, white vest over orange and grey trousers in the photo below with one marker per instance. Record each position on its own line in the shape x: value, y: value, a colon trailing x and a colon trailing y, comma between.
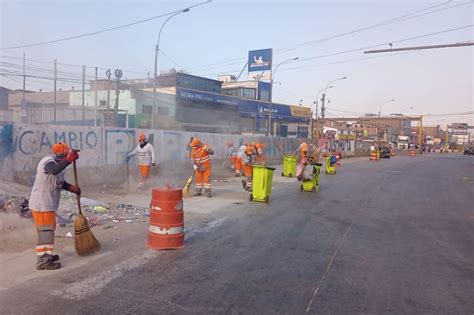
x: 44, y: 201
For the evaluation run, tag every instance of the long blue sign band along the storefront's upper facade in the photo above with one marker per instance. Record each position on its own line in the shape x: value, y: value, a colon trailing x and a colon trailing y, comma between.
x: 248, y: 108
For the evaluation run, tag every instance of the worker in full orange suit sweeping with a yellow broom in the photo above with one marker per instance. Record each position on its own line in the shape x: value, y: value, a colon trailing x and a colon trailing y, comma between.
x: 201, y: 159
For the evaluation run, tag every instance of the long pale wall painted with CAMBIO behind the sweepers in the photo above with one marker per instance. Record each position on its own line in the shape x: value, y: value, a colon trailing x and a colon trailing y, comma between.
x: 23, y: 145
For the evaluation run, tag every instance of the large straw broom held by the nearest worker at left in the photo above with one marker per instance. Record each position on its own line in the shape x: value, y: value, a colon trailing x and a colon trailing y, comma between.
x: 84, y: 241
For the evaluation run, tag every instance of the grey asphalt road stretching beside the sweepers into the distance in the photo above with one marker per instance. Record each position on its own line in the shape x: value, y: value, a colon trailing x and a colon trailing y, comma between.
x: 393, y: 236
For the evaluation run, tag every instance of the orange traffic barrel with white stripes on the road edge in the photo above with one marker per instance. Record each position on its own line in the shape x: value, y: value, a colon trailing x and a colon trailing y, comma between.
x: 166, y: 228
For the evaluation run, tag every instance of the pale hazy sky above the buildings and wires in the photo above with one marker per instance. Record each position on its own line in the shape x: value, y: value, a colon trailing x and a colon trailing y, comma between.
x: 432, y: 81
